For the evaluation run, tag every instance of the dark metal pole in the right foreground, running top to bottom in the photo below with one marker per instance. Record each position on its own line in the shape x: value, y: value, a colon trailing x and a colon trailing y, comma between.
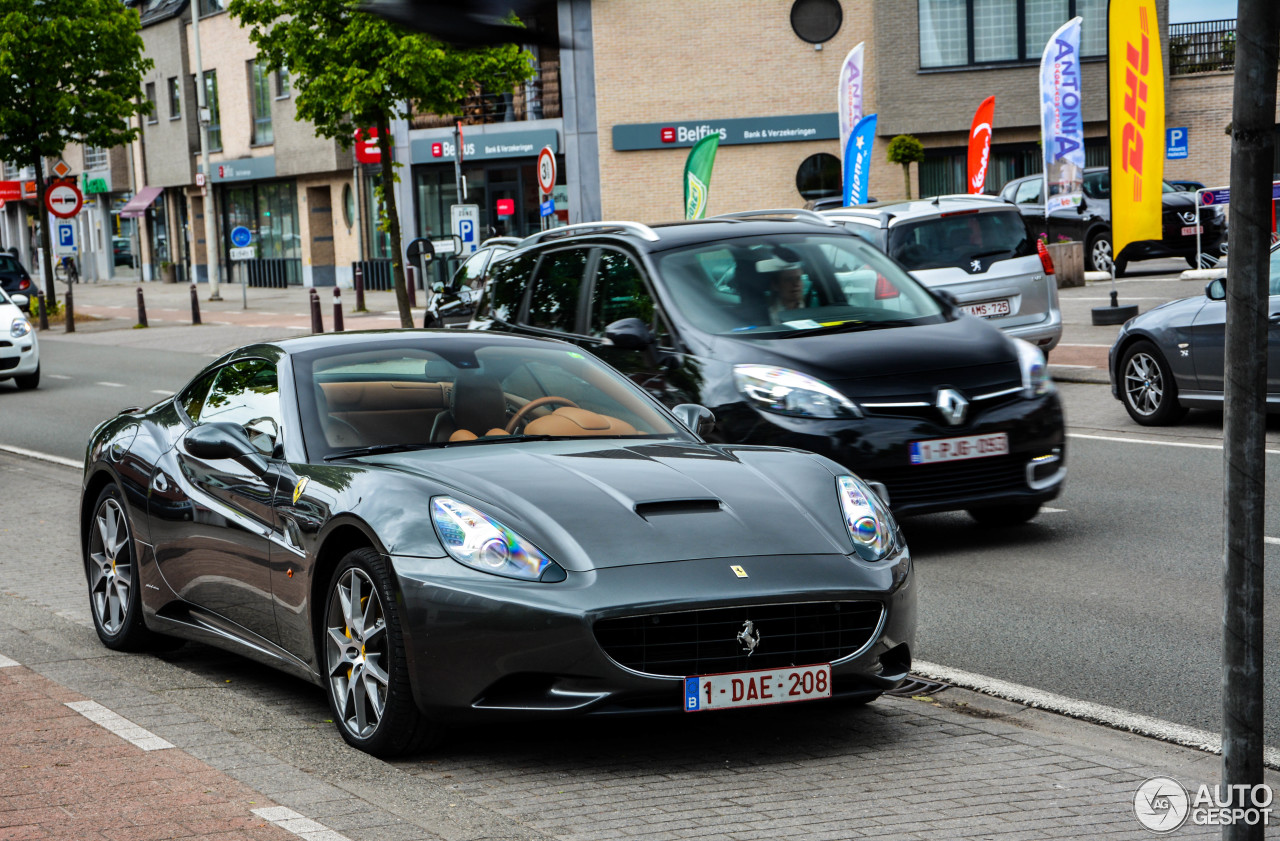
x: 1245, y: 424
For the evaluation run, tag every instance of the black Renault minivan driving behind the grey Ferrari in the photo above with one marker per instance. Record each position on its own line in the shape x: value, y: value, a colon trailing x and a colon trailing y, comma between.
x: 797, y: 333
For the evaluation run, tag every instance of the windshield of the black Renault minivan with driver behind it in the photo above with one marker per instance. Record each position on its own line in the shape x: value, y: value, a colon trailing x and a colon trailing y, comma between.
x: 793, y: 285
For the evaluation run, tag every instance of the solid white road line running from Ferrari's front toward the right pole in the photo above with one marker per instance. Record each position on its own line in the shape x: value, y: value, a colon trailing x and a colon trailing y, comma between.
x: 1086, y: 711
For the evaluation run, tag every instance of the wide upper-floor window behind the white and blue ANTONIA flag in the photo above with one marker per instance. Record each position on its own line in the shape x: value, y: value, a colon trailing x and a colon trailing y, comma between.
x: 967, y: 33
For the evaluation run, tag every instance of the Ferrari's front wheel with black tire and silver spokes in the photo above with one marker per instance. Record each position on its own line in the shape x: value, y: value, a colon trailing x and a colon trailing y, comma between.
x: 364, y: 653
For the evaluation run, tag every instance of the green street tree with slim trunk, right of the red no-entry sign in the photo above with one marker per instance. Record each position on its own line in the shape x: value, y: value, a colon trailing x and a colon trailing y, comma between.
x: 351, y: 70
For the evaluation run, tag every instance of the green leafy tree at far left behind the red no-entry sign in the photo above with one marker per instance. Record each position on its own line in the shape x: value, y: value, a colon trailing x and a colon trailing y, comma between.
x: 71, y: 71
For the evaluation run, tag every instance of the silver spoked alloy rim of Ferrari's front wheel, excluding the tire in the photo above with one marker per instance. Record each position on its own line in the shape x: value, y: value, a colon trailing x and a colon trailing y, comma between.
x: 358, y: 655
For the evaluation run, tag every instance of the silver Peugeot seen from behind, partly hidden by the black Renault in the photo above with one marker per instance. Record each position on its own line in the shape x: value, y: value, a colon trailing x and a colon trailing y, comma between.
x: 976, y: 250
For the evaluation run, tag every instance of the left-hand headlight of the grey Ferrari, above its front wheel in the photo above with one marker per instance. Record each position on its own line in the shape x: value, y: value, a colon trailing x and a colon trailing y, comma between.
x: 483, y: 543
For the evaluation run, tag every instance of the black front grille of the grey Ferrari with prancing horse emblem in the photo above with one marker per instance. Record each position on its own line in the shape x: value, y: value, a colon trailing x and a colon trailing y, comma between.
x: 720, y: 639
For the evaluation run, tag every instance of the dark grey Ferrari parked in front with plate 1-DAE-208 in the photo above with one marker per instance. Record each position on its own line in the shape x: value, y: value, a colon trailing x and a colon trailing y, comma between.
x: 441, y: 525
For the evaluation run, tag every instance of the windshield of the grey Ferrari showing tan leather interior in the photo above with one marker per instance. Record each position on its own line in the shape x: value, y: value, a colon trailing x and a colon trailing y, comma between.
x: 440, y: 390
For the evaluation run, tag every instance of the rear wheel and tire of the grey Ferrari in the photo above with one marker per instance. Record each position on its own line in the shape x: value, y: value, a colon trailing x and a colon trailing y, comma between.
x: 115, y: 592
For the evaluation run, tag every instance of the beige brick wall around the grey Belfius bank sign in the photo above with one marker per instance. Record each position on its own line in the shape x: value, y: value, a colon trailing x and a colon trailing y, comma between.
x: 717, y: 60
